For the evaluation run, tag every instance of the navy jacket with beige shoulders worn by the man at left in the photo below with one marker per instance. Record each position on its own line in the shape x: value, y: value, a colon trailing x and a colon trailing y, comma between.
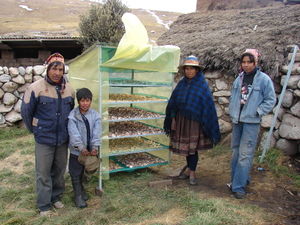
x: 45, y: 111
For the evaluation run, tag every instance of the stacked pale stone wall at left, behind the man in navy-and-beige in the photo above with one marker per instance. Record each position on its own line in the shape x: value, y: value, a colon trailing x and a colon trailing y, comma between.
x: 13, y: 83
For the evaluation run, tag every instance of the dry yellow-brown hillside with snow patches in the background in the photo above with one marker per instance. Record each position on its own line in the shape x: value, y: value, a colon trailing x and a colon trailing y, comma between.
x: 61, y: 18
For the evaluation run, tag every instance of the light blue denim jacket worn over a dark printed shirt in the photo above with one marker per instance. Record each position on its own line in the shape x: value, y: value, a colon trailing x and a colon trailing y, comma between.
x: 260, y: 102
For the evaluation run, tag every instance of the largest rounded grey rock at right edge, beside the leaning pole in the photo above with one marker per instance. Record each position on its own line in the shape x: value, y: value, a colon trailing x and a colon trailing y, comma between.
x: 290, y: 127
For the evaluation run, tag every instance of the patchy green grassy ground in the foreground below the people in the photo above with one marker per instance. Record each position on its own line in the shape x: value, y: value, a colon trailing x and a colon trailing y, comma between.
x: 127, y: 199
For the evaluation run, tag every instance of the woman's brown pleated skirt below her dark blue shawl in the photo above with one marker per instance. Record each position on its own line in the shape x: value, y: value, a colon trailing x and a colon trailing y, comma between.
x: 187, y: 136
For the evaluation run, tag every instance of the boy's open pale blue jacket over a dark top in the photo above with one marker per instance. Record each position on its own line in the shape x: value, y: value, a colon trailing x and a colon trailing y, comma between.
x: 78, y: 133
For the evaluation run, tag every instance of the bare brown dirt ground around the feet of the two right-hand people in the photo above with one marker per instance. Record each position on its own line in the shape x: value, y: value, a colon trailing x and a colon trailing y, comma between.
x: 275, y: 195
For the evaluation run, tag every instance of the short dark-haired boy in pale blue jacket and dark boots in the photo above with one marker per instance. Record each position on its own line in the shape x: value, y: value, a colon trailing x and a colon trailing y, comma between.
x: 84, y: 131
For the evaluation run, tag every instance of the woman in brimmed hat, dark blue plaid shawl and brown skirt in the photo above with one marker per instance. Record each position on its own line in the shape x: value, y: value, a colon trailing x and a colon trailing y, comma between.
x: 191, y: 119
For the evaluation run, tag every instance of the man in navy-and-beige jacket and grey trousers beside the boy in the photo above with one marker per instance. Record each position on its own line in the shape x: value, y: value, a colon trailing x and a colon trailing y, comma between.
x: 45, y: 109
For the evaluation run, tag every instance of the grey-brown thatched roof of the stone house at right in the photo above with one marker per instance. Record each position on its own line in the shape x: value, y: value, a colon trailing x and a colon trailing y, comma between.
x: 218, y: 38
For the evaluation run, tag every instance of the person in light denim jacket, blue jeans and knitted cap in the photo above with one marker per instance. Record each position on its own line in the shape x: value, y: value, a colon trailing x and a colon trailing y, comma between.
x: 252, y: 96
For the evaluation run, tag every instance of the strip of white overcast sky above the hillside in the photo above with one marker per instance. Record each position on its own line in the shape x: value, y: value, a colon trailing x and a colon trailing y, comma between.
x: 185, y: 6
